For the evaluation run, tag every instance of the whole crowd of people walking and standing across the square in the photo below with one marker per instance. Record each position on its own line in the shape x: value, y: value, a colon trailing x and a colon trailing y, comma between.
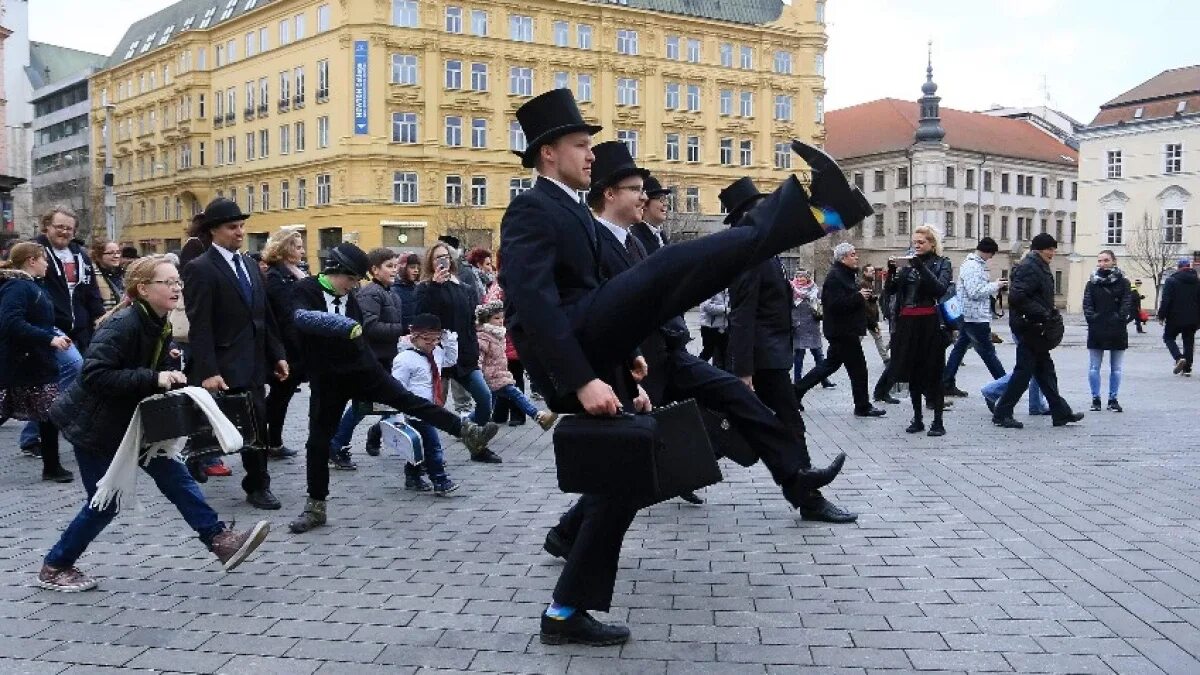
x: 584, y: 303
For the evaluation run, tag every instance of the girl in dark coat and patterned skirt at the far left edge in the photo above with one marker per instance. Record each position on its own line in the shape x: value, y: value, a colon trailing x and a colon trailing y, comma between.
x: 29, y: 371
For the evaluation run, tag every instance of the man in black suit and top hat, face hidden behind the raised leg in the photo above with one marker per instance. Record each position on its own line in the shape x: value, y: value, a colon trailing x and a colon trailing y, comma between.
x: 760, y: 351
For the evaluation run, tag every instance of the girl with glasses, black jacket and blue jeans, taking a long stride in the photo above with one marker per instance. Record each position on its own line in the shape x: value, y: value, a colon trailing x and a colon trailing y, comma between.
x: 131, y: 357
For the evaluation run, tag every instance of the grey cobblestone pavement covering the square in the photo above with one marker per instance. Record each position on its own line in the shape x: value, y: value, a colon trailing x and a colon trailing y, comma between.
x: 1045, y: 551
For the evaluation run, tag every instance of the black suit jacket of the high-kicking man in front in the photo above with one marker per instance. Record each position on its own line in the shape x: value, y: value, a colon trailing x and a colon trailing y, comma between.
x: 551, y: 241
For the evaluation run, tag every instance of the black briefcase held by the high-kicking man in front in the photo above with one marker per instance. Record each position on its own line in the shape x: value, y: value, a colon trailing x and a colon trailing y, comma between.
x: 650, y: 457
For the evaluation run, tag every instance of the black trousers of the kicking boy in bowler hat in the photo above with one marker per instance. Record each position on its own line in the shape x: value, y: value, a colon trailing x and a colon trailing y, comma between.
x: 333, y: 391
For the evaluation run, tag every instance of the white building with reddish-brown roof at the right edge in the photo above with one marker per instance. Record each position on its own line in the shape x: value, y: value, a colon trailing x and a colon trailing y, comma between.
x: 1138, y: 176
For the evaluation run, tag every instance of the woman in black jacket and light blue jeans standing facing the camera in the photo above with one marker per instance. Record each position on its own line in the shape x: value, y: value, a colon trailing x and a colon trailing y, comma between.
x: 1108, y: 308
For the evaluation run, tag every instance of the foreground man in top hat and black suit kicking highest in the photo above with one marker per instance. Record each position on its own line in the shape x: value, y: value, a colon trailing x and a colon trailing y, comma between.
x: 577, y: 331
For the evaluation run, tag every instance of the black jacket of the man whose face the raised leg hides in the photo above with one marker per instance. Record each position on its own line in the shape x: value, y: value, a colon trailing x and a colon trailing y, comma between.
x: 760, y: 321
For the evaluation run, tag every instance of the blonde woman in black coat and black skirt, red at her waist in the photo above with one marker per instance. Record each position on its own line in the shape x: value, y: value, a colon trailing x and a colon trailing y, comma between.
x: 919, y: 348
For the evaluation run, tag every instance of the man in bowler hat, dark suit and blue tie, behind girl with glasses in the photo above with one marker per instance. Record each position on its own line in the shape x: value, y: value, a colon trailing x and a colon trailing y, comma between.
x: 233, y: 334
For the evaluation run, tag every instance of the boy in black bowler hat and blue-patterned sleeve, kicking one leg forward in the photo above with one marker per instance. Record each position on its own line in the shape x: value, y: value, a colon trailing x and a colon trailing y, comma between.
x: 343, y: 368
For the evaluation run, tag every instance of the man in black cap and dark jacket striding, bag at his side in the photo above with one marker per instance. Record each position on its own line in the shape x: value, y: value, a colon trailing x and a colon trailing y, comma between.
x: 1034, y: 319
